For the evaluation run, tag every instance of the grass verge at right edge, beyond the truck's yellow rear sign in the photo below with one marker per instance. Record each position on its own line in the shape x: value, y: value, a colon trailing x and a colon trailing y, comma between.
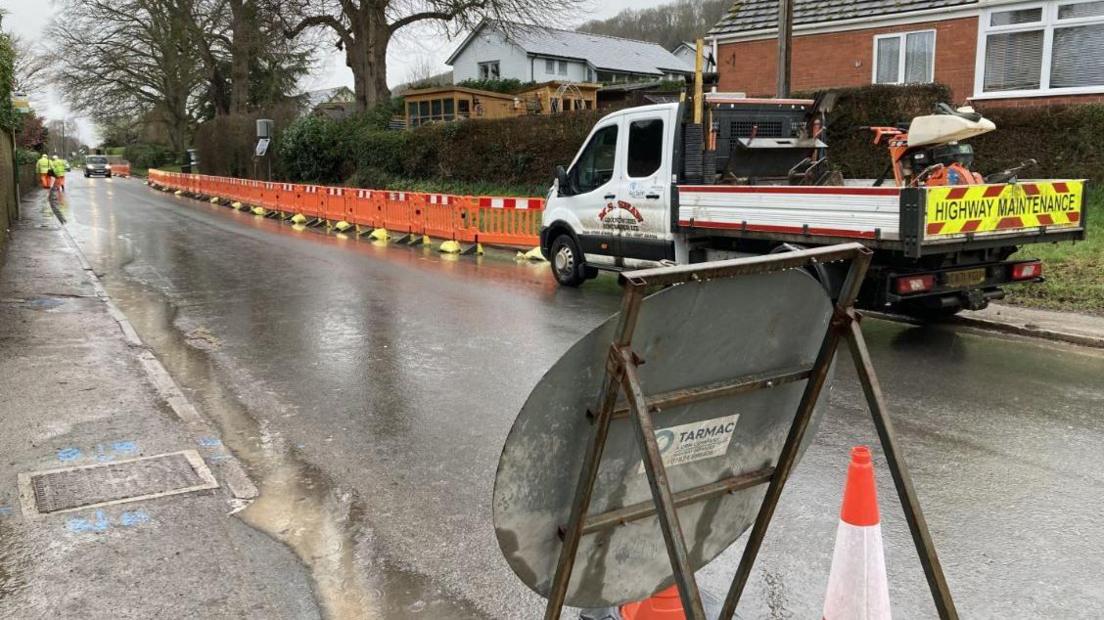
x: 1075, y: 271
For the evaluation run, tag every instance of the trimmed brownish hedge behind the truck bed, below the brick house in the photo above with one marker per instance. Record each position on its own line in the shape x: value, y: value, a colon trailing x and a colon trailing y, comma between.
x: 1065, y: 140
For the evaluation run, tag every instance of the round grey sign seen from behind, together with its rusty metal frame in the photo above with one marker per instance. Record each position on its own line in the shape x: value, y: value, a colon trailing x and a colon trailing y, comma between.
x: 721, y: 358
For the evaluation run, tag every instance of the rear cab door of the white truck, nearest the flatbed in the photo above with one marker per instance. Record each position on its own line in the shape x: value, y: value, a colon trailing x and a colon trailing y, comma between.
x: 641, y: 211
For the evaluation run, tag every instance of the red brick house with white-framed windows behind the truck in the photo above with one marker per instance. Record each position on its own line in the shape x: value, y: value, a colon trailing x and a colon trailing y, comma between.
x: 991, y: 52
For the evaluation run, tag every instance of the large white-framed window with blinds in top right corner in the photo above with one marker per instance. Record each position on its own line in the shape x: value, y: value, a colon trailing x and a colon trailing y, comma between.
x: 1042, y: 49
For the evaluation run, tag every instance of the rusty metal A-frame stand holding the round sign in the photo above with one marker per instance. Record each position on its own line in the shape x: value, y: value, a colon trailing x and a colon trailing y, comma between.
x: 622, y: 379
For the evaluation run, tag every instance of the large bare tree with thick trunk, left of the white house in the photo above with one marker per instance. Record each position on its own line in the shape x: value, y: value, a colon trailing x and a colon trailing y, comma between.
x: 364, y: 28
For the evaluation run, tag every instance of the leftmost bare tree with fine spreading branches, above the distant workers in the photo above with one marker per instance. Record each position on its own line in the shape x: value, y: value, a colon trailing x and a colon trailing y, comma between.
x: 129, y: 58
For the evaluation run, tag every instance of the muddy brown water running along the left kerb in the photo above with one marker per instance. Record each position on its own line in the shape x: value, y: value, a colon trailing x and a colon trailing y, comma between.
x: 299, y: 505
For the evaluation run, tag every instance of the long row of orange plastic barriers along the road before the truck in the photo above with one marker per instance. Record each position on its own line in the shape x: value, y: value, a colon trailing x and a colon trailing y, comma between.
x: 490, y: 220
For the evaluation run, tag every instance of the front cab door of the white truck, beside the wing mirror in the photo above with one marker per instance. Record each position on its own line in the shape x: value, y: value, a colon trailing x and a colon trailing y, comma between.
x: 593, y: 180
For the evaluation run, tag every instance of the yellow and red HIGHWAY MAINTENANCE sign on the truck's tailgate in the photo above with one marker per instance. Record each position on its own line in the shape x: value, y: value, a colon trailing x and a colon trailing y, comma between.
x: 957, y: 210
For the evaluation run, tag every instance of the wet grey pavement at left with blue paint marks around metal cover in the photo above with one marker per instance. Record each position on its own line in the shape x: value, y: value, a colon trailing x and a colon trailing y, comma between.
x: 78, y: 390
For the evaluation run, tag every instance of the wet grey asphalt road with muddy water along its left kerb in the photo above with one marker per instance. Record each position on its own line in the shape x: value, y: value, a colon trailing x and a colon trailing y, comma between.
x: 369, y: 390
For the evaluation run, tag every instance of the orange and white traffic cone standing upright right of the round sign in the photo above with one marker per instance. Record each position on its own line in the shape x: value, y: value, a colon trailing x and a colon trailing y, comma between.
x: 857, y: 585
